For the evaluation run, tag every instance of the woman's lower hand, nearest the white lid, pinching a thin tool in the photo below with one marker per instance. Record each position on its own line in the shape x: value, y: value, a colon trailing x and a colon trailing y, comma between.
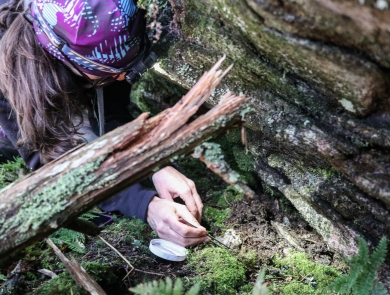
x: 163, y: 216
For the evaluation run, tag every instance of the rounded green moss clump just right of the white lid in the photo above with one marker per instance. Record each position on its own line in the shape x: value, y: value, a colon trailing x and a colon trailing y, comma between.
x: 220, y: 273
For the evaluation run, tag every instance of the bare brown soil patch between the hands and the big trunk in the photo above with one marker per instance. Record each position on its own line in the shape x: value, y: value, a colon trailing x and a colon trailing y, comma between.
x: 264, y: 227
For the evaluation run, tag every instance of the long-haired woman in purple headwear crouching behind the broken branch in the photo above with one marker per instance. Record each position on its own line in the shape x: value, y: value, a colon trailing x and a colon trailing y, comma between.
x: 55, y: 58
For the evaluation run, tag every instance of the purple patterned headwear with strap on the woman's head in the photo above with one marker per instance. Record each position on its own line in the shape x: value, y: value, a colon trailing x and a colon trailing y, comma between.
x: 100, y: 37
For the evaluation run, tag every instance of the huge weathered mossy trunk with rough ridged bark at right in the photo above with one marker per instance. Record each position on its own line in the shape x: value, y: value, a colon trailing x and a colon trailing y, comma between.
x: 317, y: 73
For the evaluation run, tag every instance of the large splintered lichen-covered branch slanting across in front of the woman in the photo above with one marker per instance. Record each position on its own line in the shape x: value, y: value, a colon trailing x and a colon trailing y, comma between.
x: 50, y: 197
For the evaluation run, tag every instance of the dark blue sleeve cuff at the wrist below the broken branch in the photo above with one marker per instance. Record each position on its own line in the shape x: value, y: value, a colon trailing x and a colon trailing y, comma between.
x: 133, y: 202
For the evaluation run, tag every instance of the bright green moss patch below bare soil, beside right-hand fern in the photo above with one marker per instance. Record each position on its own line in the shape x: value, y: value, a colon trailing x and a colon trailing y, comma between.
x: 303, y: 276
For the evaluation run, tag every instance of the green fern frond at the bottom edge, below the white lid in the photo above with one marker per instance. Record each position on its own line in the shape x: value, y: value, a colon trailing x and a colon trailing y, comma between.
x: 164, y: 288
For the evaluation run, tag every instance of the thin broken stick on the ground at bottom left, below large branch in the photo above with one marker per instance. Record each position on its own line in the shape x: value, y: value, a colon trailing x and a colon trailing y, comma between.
x: 79, y: 274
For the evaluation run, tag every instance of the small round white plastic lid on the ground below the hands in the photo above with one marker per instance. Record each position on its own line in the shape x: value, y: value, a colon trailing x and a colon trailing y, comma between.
x: 167, y: 250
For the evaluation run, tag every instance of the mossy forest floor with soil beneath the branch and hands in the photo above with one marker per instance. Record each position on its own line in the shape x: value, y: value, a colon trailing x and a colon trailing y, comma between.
x: 263, y: 233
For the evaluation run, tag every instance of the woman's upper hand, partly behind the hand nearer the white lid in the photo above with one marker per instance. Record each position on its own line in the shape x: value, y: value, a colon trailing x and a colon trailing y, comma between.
x: 170, y: 184
